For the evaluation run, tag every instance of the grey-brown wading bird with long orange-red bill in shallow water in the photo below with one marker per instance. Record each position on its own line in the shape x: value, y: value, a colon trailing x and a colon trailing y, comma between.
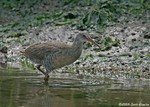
x: 54, y: 55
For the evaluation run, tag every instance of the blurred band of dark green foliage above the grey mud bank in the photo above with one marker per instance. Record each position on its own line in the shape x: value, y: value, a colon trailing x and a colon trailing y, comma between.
x: 81, y: 14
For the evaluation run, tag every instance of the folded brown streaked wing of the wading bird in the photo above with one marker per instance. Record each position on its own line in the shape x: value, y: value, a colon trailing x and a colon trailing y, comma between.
x: 40, y: 50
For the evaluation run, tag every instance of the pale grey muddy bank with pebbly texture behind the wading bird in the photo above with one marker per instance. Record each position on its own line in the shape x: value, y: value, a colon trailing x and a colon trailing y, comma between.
x: 129, y: 57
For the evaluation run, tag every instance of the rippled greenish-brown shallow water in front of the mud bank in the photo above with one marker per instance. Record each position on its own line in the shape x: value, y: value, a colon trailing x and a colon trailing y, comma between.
x: 26, y: 89
